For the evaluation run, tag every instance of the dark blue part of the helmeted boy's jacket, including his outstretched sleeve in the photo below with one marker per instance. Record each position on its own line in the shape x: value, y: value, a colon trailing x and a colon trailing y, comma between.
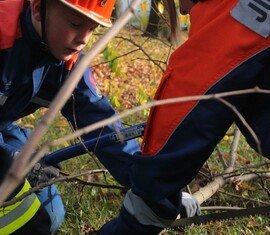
x: 30, y: 78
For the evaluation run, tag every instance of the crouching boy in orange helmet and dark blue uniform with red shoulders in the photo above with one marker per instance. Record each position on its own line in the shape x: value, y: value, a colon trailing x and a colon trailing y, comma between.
x: 39, y: 44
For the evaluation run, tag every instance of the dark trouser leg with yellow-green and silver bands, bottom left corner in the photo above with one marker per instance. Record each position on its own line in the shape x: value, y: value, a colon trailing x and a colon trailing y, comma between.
x: 25, y: 216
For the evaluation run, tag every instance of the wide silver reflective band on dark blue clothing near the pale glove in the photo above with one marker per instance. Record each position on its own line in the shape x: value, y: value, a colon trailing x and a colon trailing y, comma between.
x: 144, y: 215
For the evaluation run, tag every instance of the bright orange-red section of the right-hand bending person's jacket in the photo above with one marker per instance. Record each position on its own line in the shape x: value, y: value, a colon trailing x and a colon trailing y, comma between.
x: 232, y: 44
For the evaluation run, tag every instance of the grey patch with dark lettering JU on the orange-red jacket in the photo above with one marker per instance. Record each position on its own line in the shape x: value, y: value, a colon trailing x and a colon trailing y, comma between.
x: 255, y: 14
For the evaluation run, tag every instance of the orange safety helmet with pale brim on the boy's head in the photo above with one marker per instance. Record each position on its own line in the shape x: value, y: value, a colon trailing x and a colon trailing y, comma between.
x: 97, y: 10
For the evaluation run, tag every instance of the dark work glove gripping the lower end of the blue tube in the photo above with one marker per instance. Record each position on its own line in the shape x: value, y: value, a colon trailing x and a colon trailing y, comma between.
x: 42, y: 173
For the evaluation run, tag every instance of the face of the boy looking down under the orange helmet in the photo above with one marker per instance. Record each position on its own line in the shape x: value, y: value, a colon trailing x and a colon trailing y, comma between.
x: 67, y: 31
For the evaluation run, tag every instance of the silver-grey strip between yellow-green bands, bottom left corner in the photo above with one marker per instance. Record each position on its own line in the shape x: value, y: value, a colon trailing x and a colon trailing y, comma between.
x: 14, y: 214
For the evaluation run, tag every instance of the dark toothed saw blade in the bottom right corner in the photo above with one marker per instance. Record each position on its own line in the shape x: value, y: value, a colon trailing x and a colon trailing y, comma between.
x: 203, y: 219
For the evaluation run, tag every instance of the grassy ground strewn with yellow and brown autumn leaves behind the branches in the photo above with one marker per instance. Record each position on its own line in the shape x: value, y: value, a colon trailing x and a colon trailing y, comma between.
x: 129, y: 81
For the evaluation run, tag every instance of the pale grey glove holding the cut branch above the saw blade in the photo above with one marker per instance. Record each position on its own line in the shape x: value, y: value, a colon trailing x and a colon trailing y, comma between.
x: 190, y: 206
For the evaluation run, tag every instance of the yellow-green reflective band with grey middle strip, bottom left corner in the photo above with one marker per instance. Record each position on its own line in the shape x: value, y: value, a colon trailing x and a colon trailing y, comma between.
x: 15, y: 216
